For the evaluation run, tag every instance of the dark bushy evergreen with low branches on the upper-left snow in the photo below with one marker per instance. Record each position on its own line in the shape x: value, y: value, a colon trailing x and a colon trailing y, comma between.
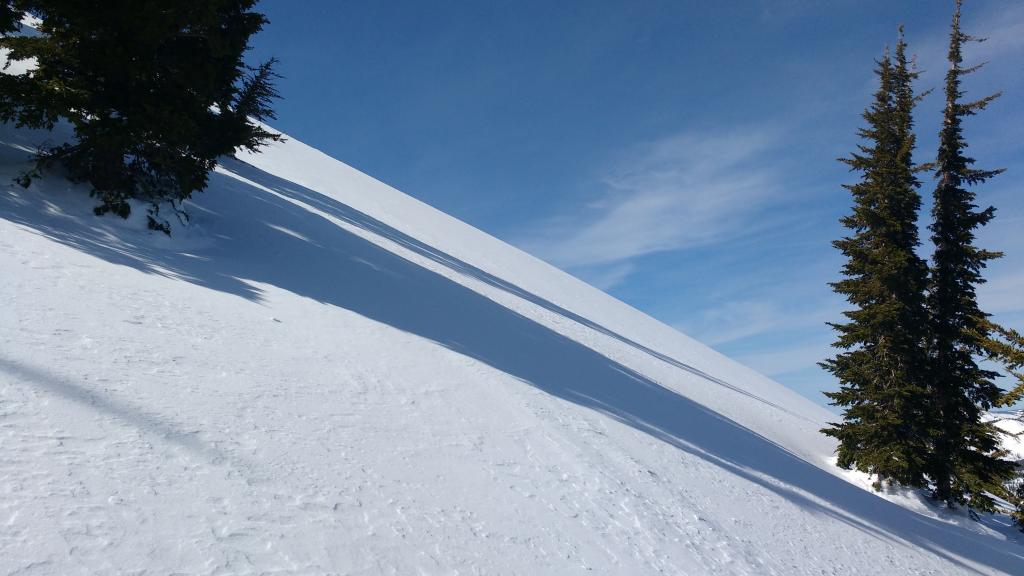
x: 155, y: 91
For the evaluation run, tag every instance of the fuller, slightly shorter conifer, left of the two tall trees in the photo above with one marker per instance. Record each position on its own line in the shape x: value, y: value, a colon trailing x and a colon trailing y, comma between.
x: 881, y: 371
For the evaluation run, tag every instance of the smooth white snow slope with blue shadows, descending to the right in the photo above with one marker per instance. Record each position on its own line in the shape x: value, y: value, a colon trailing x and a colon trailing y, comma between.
x: 323, y: 376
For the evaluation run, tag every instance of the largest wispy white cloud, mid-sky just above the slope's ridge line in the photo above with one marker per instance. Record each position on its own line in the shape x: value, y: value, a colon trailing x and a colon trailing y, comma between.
x: 680, y: 192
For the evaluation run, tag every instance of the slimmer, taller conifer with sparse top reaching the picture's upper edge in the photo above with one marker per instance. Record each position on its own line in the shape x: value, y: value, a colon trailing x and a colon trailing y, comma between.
x: 966, y: 463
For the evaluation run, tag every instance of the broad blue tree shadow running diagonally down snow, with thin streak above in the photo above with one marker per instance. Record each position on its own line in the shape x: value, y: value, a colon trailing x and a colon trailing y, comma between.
x: 274, y: 238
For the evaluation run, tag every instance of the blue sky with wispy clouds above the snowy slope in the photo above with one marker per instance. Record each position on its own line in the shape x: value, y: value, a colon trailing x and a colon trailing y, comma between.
x: 678, y: 154
